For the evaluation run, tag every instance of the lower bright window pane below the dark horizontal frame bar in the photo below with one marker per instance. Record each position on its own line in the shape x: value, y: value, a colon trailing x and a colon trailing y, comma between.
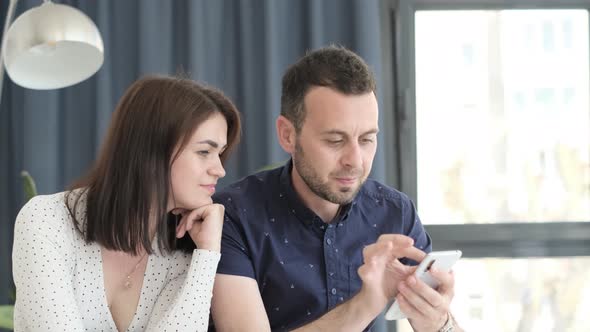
x: 542, y: 294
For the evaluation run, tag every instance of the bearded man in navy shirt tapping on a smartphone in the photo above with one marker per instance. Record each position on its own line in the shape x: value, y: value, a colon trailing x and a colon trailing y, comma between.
x: 315, y: 245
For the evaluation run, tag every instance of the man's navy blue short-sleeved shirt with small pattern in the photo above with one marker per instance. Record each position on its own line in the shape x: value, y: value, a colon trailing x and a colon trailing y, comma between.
x: 305, y: 267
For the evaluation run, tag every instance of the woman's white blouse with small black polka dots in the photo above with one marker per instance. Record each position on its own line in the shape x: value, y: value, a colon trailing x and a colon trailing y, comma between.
x: 59, y: 279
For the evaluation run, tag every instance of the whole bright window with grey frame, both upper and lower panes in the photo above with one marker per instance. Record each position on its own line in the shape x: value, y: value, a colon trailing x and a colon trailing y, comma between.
x: 495, y: 149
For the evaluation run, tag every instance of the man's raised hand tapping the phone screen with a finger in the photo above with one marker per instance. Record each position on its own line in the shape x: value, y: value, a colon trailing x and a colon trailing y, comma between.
x: 382, y: 271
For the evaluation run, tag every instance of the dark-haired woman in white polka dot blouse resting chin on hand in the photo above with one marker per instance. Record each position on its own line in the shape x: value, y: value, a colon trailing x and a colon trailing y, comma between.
x: 117, y: 252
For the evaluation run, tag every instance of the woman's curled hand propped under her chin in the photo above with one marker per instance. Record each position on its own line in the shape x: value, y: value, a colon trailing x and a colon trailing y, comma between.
x: 204, y: 225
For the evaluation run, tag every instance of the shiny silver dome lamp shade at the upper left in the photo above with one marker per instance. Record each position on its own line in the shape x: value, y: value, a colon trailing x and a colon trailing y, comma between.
x: 52, y: 46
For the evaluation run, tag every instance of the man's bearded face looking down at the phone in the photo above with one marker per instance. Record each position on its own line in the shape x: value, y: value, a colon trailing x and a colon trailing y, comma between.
x: 335, y: 148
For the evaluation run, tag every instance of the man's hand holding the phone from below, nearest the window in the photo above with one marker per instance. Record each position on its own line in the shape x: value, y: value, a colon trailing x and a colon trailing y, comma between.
x: 427, y: 309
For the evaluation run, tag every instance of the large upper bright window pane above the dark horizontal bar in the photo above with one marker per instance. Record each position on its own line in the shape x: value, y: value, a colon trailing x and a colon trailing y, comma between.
x: 483, y: 154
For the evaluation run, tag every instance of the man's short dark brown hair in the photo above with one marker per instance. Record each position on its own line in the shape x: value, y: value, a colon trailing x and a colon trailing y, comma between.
x: 334, y: 67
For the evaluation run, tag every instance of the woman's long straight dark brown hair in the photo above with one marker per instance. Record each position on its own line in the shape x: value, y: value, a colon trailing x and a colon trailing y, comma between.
x: 128, y: 186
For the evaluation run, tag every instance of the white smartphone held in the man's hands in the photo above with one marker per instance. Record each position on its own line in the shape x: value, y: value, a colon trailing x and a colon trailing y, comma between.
x: 442, y: 260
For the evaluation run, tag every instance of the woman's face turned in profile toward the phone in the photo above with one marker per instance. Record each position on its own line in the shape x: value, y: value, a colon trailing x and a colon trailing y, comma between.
x: 197, y: 168
